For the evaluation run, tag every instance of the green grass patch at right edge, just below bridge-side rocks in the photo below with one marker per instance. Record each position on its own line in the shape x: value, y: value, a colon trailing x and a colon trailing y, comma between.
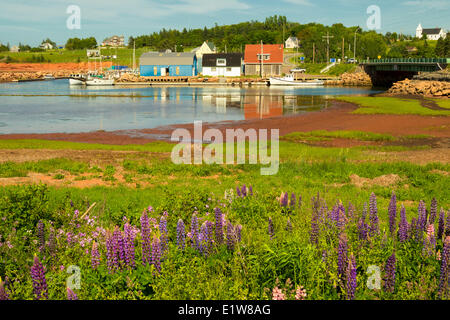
x: 391, y: 105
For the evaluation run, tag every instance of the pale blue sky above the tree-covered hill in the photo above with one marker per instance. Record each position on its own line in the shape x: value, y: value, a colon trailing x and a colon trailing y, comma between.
x: 30, y: 21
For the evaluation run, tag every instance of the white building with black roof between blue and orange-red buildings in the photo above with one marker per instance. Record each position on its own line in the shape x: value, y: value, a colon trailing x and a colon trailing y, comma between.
x: 222, y: 64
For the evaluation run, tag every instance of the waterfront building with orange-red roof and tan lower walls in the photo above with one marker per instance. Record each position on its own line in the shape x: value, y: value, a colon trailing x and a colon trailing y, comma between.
x: 263, y: 60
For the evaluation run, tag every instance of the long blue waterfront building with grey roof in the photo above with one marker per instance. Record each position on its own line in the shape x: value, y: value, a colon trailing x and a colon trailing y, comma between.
x: 156, y: 64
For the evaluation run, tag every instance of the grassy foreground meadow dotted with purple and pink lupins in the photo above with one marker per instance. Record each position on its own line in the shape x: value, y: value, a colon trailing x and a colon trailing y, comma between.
x: 253, y: 263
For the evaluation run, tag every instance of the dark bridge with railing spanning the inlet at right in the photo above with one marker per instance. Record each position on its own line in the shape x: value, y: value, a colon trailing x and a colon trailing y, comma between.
x: 384, y: 72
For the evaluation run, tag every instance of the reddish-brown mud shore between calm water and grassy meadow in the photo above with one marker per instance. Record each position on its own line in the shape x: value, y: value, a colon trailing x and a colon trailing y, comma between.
x: 336, y: 117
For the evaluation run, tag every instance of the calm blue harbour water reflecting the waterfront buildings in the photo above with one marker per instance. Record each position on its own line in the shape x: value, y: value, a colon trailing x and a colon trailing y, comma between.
x: 54, y: 106
